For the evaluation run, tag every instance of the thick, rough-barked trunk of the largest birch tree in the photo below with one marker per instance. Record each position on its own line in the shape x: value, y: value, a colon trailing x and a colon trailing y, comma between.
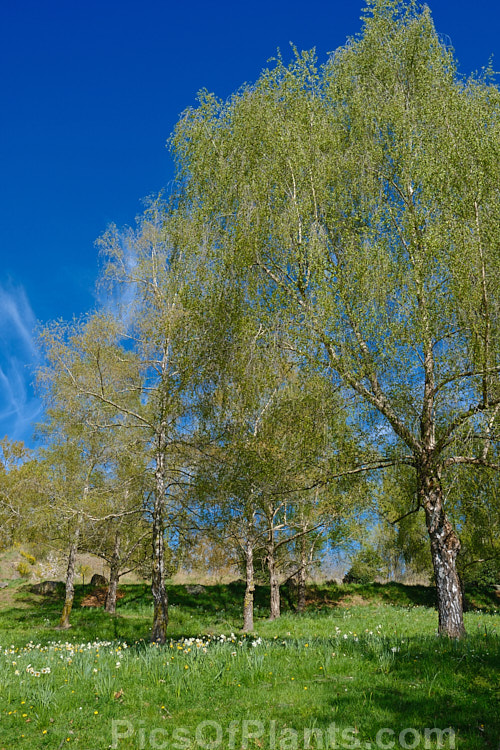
x: 445, y: 546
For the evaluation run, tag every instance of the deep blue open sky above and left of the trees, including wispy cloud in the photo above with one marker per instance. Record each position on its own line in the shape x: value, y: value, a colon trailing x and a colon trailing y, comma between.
x: 90, y: 92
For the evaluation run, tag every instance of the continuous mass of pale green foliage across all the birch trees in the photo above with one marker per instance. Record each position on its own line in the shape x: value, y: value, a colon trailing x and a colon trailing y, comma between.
x: 318, y: 301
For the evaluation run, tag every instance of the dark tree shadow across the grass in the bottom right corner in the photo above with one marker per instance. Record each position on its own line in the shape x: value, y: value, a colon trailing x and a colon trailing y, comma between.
x: 428, y: 683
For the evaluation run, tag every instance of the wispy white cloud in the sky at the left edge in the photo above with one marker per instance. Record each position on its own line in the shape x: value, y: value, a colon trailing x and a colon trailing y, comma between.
x: 19, y: 356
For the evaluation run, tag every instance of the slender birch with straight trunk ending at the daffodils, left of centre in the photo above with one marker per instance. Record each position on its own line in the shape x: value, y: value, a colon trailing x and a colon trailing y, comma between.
x: 134, y: 361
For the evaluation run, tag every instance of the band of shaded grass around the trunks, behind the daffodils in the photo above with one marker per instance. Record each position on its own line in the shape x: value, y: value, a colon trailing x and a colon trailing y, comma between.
x: 193, y: 609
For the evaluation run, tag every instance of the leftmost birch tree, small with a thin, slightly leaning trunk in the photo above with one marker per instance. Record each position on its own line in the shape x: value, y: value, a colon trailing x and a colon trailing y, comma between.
x: 76, y: 456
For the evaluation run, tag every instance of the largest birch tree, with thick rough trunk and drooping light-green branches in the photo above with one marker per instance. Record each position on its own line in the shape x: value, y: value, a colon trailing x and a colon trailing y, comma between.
x: 360, y: 202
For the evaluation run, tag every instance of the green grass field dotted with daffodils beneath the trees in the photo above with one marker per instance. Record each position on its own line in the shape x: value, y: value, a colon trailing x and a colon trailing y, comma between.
x: 363, y: 667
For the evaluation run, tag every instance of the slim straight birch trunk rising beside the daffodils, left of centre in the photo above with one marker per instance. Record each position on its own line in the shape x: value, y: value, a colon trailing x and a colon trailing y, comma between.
x: 158, y: 589
